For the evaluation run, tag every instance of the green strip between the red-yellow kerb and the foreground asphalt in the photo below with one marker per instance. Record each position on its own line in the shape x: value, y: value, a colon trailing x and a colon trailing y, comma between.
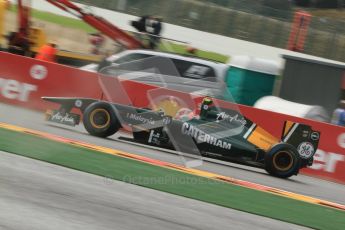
x: 172, y: 181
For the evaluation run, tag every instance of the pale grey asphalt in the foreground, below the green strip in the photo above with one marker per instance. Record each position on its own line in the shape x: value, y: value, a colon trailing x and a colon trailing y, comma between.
x: 38, y: 195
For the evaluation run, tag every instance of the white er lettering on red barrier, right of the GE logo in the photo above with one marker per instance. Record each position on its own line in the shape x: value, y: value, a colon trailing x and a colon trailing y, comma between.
x: 326, y: 161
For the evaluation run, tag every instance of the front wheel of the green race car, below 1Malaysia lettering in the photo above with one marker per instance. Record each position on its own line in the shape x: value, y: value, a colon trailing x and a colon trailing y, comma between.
x: 100, y: 119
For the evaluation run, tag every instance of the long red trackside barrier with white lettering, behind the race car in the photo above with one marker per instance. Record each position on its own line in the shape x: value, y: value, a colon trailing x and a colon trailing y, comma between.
x: 23, y: 81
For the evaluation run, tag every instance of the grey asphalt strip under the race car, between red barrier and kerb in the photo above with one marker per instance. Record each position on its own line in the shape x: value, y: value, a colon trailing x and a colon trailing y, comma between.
x: 299, y: 184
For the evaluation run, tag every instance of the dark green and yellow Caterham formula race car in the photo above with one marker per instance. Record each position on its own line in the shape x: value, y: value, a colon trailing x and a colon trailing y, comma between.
x: 217, y: 133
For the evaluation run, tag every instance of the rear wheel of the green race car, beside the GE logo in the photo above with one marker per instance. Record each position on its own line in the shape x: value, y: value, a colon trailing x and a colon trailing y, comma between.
x: 282, y: 161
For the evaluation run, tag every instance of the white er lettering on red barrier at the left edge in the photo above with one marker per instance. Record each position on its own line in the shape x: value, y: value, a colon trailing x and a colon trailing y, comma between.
x: 15, y: 90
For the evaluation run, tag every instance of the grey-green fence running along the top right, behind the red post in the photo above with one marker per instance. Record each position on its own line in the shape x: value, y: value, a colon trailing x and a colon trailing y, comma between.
x: 246, y: 19
